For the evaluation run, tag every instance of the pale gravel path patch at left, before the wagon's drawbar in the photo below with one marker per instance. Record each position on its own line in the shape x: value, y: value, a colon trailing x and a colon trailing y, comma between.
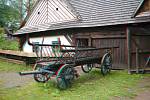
x: 12, y: 79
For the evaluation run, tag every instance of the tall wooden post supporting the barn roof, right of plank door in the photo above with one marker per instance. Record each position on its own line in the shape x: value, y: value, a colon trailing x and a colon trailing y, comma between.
x: 129, y: 49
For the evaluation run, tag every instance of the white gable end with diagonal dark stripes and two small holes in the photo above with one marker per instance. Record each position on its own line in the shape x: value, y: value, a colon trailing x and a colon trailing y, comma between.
x: 52, y: 12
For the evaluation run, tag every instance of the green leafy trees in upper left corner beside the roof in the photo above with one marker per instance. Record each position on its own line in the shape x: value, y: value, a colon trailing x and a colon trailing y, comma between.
x: 14, y: 12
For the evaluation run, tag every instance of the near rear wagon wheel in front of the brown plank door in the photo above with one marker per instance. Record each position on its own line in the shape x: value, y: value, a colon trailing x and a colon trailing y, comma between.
x: 106, y: 64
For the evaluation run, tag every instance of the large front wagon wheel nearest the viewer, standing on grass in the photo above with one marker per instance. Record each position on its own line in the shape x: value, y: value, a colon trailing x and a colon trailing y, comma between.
x: 64, y: 77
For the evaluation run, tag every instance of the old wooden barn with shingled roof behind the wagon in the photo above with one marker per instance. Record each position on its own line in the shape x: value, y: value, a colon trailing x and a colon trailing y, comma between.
x: 97, y: 23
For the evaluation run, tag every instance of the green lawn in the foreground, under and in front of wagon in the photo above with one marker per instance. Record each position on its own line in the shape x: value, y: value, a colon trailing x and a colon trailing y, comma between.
x: 92, y: 86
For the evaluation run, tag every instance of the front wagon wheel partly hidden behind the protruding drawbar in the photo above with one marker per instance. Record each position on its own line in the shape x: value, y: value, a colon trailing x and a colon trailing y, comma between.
x: 40, y: 77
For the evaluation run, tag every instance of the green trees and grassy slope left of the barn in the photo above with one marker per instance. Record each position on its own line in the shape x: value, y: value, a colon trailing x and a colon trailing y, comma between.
x: 12, y: 14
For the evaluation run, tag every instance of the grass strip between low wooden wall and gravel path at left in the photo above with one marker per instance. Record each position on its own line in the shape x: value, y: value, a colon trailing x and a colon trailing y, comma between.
x: 12, y: 67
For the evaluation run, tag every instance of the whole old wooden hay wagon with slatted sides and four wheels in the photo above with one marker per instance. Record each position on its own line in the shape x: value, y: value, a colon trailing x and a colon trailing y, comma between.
x: 59, y: 61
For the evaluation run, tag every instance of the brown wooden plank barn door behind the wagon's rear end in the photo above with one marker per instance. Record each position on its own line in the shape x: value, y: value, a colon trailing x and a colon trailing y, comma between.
x: 119, y: 55
